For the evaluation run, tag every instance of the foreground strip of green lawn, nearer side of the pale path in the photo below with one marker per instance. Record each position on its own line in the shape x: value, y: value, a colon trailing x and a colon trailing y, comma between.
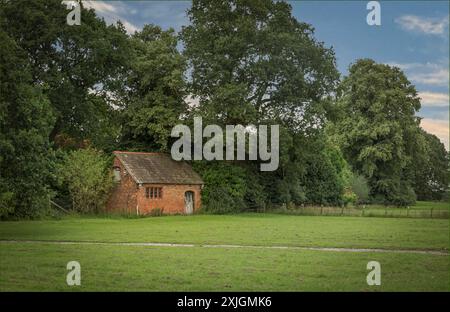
x: 42, y: 267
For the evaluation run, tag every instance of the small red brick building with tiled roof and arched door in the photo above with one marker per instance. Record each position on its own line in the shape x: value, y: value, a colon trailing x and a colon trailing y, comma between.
x: 148, y: 181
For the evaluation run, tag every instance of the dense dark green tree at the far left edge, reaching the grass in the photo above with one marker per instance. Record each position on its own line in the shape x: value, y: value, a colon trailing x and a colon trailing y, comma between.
x: 26, y: 120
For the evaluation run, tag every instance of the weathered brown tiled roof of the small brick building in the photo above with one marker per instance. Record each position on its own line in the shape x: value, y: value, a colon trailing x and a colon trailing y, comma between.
x: 157, y: 168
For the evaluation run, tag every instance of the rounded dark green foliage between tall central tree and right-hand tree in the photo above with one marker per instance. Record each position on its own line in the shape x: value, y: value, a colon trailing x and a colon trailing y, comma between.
x: 315, y: 172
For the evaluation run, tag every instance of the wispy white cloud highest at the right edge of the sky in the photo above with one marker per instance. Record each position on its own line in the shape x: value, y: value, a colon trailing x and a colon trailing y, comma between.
x: 429, y: 26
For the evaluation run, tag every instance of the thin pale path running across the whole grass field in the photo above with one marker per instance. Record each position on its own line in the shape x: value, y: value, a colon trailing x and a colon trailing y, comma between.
x: 154, y: 244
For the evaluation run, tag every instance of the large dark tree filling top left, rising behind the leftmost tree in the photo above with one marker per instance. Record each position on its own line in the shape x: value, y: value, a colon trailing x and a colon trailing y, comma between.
x: 80, y: 68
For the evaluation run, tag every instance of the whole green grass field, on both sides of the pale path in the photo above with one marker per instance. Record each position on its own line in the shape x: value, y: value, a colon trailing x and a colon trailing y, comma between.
x: 42, y: 266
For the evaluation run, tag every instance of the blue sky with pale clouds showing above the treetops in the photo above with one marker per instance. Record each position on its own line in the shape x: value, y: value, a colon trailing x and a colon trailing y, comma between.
x: 413, y: 35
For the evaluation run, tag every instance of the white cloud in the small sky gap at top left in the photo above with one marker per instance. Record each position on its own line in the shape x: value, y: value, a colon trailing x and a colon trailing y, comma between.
x: 112, y: 12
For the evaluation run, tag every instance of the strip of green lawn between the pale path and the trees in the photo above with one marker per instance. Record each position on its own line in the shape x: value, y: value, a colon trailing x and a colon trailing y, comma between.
x: 245, y: 229
